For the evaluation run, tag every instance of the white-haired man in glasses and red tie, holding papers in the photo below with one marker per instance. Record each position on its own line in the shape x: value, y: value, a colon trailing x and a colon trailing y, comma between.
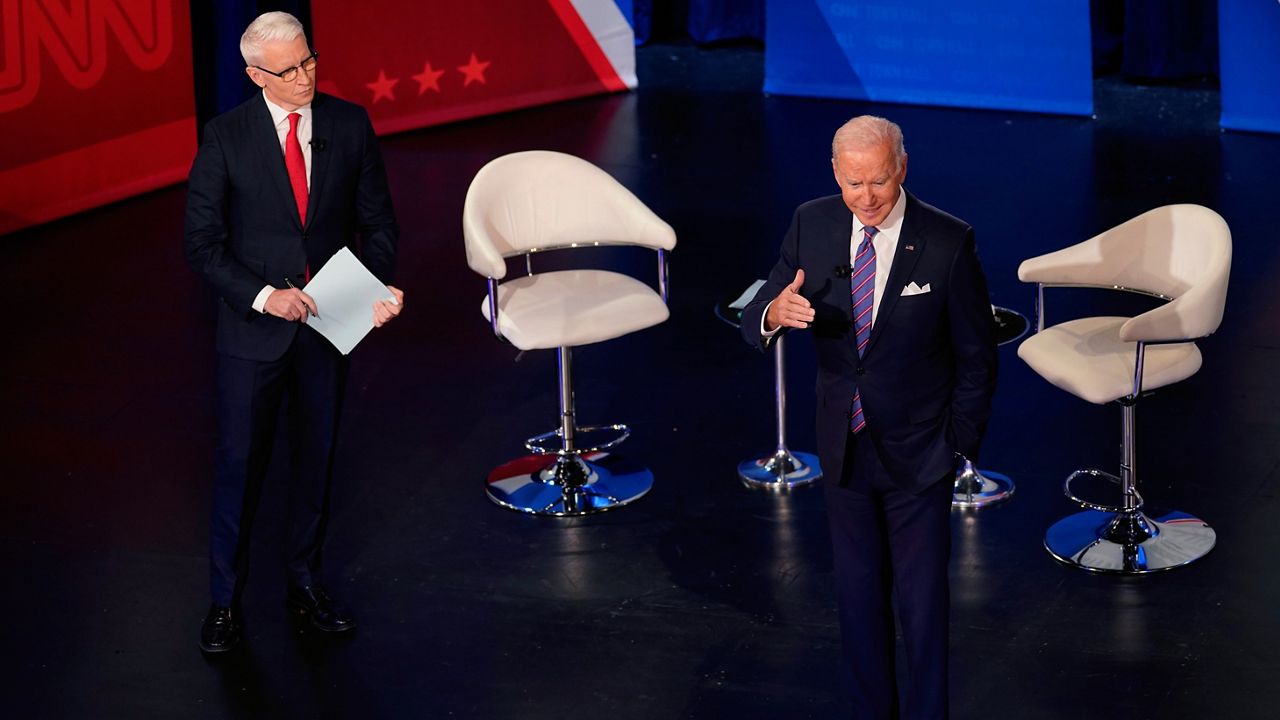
x: 280, y: 185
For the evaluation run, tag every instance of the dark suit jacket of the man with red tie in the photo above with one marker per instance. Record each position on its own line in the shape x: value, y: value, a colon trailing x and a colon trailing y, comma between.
x: 243, y: 229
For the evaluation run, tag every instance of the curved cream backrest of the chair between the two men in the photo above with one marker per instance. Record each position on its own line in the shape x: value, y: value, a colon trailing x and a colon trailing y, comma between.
x: 543, y: 200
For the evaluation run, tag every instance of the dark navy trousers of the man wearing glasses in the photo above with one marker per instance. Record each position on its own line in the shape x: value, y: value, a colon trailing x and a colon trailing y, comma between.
x: 312, y: 376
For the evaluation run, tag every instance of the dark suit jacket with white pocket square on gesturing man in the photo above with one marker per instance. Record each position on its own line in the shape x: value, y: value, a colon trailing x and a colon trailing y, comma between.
x: 929, y: 373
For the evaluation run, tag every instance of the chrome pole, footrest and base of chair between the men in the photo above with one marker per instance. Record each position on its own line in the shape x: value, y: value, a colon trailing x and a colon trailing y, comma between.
x: 582, y: 479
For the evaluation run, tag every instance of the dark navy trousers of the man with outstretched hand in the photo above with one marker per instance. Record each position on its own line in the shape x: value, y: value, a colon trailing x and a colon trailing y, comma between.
x: 890, y: 543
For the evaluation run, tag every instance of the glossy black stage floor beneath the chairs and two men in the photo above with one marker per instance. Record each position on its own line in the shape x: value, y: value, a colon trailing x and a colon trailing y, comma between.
x: 703, y: 600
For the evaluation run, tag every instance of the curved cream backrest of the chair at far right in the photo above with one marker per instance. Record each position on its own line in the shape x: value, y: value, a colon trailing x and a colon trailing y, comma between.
x: 1181, y: 252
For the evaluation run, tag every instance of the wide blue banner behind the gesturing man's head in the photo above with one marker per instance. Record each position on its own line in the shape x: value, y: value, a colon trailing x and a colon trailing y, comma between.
x: 1002, y: 54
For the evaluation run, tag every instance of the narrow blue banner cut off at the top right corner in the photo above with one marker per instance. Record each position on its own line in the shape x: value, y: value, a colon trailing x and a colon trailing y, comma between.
x: 1250, y: 65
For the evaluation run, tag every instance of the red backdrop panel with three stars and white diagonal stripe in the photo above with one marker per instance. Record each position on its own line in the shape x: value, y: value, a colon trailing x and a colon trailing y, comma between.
x: 415, y: 65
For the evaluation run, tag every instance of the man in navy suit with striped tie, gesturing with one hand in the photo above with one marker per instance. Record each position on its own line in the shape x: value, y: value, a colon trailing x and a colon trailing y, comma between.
x: 906, y: 343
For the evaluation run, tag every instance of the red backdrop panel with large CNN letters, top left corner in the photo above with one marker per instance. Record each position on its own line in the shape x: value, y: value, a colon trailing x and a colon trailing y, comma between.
x: 97, y: 104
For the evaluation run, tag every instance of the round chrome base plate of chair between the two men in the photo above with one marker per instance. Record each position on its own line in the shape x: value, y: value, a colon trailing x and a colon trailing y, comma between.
x: 531, y: 485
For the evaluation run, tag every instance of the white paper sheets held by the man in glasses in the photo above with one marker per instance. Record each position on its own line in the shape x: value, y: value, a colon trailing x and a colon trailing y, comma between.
x: 345, y: 293
